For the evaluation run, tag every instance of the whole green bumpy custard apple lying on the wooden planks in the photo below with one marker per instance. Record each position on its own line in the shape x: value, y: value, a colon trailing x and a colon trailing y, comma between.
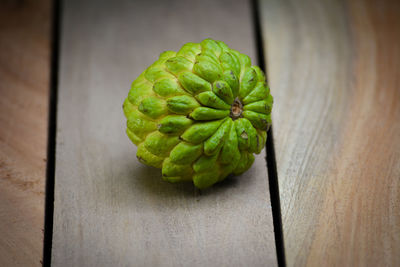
x: 200, y: 113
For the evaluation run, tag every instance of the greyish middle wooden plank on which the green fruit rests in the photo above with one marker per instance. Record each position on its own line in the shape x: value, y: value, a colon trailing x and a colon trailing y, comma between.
x: 109, y: 209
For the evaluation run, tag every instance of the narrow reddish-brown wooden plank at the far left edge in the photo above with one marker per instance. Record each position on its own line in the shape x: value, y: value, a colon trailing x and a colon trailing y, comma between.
x: 24, y: 85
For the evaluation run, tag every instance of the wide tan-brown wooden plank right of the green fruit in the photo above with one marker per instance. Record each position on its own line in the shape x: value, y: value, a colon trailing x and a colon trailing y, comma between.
x: 334, y: 69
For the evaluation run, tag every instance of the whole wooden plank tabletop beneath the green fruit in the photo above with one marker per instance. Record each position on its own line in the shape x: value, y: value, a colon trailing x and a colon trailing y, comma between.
x: 333, y: 68
